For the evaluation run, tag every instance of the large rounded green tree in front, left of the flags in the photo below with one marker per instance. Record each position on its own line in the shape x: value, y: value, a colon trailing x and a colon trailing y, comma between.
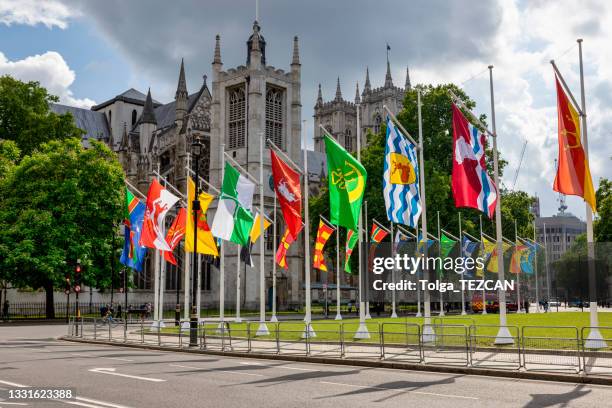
x: 61, y: 203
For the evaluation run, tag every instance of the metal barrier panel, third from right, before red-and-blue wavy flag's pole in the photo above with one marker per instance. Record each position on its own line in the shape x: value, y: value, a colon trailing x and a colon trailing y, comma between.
x: 486, y: 352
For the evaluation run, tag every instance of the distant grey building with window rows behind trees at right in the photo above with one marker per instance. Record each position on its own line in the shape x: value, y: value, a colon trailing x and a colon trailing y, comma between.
x: 561, y: 231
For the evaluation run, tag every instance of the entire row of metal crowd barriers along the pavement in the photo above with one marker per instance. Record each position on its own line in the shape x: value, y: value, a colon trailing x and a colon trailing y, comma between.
x: 543, y: 348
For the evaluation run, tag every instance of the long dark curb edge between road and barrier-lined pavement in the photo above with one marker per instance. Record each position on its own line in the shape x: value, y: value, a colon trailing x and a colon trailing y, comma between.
x: 487, y: 372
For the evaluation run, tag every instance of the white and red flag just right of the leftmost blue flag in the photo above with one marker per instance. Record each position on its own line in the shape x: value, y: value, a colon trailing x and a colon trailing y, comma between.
x: 159, y: 201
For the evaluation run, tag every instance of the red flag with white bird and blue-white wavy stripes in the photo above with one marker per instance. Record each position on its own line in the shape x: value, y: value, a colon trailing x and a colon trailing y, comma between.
x: 472, y: 187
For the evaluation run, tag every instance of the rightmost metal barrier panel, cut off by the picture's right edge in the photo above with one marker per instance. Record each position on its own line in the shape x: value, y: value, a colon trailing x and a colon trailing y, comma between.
x: 597, y: 353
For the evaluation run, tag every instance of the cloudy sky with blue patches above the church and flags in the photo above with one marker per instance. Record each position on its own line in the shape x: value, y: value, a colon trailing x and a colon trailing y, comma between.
x: 88, y: 51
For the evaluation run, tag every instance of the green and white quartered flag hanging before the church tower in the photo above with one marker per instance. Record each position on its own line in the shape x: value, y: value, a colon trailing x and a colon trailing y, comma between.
x: 233, y: 219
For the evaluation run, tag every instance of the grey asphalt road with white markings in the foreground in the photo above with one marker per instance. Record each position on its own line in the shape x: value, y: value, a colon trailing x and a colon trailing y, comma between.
x: 108, y: 376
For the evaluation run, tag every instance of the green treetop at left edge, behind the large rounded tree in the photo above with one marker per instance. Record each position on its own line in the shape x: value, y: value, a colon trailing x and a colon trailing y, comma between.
x: 25, y: 116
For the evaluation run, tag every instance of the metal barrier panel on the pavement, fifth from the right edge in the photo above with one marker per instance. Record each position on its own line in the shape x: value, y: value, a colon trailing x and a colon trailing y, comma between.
x: 401, y: 341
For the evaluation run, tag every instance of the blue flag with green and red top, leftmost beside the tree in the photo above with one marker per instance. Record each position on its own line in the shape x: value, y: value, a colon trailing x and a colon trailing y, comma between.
x: 133, y: 253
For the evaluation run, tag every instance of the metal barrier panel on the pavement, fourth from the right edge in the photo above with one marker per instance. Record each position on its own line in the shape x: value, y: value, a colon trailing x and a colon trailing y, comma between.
x: 445, y: 344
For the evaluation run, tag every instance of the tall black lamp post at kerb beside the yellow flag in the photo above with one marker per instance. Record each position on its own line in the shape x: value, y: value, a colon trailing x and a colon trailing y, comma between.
x: 196, y: 149
